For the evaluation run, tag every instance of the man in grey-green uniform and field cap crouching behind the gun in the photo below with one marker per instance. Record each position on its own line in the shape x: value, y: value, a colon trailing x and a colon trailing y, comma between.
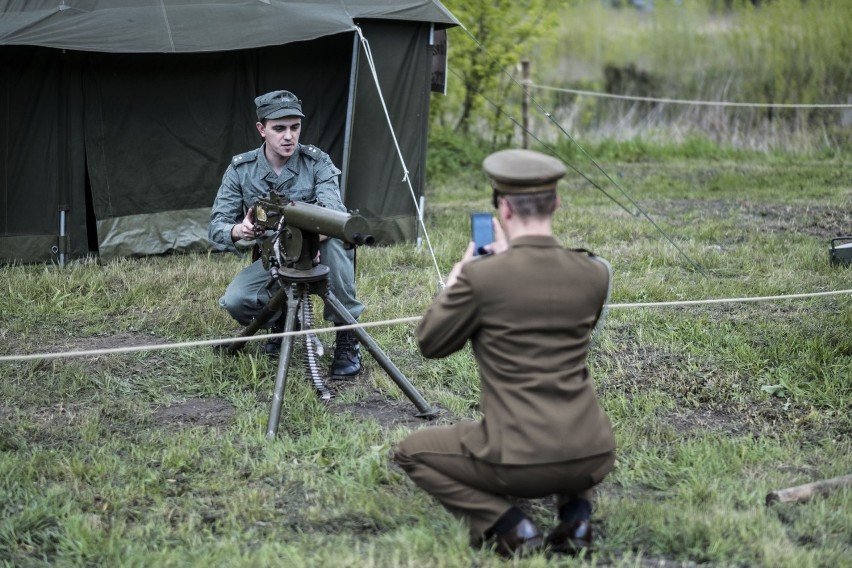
x: 300, y: 173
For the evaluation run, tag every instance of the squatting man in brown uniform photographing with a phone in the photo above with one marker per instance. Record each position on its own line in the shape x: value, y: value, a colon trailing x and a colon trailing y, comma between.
x: 529, y: 310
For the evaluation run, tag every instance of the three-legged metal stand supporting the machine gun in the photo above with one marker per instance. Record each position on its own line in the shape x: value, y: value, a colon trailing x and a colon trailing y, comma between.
x: 295, y: 285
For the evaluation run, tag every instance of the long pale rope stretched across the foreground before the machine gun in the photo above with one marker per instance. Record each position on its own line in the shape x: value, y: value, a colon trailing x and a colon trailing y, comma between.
x: 413, y: 319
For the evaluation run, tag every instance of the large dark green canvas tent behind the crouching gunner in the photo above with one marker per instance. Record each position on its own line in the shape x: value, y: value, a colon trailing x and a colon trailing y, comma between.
x: 118, y: 117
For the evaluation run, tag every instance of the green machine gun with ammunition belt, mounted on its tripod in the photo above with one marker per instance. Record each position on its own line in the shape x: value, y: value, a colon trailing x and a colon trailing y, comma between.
x: 292, y: 234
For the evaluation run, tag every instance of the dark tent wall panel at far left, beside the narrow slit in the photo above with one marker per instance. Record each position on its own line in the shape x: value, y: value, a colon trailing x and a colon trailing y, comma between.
x: 42, y: 155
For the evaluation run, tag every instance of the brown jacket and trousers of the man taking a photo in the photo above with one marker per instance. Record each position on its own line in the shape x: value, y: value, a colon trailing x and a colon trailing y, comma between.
x: 529, y: 313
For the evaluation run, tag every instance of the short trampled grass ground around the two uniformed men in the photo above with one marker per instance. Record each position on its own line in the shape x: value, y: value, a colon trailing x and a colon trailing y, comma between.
x: 159, y: 457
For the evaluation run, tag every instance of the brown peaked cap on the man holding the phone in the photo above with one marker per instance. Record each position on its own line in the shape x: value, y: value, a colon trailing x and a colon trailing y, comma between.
x: 523, y: 171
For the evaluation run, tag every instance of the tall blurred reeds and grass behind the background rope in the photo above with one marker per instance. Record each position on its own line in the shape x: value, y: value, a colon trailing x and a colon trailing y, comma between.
x: 783, y: 51
